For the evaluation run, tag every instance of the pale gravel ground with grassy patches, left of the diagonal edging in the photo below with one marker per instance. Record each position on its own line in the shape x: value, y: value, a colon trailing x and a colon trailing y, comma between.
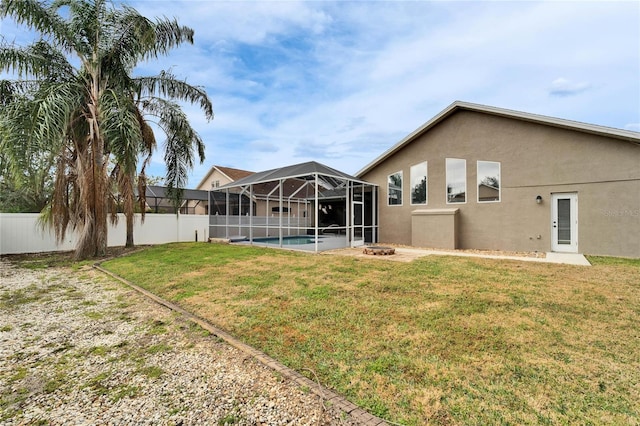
x: 79, y: 348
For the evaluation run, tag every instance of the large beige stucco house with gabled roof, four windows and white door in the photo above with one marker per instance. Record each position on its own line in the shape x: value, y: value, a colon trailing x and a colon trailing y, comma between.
x: 479, y: 177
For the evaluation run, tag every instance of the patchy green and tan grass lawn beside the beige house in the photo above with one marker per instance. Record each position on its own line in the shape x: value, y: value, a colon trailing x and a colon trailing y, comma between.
x: 440, y: 340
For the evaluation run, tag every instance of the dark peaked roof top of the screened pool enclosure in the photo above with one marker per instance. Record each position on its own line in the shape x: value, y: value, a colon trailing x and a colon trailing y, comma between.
x: 304, y: 171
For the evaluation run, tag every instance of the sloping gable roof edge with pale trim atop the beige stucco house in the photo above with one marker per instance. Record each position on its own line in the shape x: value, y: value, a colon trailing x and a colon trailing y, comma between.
x: 625, y: 135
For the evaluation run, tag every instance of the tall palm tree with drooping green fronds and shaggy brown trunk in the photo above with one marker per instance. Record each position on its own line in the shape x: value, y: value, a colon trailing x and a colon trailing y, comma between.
x: 76, y: 96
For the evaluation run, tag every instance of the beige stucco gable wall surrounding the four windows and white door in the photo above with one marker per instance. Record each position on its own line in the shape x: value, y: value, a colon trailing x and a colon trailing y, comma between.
x: 536, y: 159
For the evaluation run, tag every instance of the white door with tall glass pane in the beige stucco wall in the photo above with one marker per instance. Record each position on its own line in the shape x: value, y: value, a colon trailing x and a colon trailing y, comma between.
x: 564, y: 223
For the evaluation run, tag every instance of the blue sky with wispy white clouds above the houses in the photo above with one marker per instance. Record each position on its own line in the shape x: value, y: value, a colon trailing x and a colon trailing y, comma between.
x: 340, y: 82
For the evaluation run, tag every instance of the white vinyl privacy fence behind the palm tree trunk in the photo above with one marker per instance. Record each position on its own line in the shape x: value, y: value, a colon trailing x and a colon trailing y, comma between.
x: 22, y: 233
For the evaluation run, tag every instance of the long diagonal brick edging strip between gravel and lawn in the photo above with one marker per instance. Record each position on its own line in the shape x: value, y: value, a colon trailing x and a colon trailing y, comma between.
x: 356, y: 413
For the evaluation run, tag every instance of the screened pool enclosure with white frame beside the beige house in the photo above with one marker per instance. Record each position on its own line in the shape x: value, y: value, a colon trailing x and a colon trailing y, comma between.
x: 306, y: 206
